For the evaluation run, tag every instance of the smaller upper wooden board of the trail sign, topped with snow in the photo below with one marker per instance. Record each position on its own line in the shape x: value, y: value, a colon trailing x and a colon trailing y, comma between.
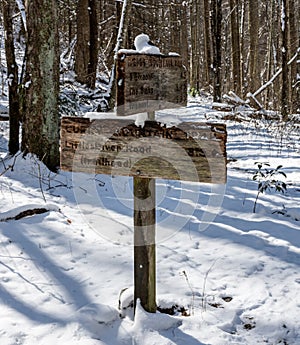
x: 149, y: 82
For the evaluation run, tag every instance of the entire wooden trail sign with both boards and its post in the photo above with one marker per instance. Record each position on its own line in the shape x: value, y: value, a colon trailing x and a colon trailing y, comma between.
x: 190, y: 151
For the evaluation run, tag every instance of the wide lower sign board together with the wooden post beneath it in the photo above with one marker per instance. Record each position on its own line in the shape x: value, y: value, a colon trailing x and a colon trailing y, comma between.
x: 190, y: 151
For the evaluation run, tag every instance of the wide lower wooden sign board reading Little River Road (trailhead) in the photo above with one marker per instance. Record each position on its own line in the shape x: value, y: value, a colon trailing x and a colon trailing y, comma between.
x: 190, y: 151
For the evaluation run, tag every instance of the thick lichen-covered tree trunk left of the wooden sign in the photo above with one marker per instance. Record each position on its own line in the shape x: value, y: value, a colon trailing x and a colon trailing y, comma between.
x: 40, y: 131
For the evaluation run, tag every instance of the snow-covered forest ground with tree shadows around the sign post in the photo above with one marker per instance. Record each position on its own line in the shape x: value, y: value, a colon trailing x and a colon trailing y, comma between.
x: 234, y: 273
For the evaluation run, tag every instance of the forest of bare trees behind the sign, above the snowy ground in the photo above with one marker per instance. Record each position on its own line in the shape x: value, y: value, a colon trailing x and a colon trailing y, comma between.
x: 236, y: 50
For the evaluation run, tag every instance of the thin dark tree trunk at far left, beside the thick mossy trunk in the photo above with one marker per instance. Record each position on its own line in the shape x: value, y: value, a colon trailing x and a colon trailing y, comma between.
x: 12, y: 74
